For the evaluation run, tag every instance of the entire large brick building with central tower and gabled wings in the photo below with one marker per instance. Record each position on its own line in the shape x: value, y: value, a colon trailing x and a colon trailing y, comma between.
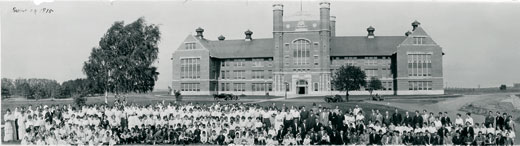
x: 301, y: 58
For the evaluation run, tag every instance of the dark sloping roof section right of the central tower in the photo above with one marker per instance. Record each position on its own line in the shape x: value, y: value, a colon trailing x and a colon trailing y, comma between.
x: 364, y: 46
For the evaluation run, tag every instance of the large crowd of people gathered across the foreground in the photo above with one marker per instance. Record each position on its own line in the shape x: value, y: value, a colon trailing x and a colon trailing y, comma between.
x: 247, y: 124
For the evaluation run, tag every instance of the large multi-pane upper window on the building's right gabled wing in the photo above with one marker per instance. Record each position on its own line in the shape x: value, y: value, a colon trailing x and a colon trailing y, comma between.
x: 419, y: 64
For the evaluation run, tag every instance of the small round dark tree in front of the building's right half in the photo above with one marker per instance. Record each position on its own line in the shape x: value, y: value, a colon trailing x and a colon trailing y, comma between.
x: 348, y: 78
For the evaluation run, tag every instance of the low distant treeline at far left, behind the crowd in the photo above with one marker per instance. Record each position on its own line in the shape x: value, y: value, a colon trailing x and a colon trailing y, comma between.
x: 45, y: 88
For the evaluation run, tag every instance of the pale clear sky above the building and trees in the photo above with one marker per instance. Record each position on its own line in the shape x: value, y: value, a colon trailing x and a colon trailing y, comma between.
x: 480, y: 39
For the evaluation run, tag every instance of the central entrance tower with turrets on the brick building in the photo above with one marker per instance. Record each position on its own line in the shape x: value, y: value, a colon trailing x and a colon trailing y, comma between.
x: 302, y: 51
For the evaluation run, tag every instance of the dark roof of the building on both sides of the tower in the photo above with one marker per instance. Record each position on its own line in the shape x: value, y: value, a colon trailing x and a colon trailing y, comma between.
x: 341, y: 46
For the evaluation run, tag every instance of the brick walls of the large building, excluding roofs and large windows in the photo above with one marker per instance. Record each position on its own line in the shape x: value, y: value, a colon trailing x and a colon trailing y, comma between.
x: 284, y: 73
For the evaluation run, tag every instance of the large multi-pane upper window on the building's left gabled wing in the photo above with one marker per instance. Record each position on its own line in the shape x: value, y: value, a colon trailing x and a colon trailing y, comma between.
x: 190, y: 68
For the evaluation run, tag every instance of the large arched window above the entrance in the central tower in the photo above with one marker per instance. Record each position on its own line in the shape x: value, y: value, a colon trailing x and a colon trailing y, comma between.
x: 301, y: 51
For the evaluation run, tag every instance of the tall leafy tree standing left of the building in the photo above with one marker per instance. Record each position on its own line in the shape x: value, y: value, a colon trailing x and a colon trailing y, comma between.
x: 123, y: 62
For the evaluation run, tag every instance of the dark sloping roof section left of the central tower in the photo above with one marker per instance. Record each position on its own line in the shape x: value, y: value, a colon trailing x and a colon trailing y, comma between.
x: 256, y: 48
